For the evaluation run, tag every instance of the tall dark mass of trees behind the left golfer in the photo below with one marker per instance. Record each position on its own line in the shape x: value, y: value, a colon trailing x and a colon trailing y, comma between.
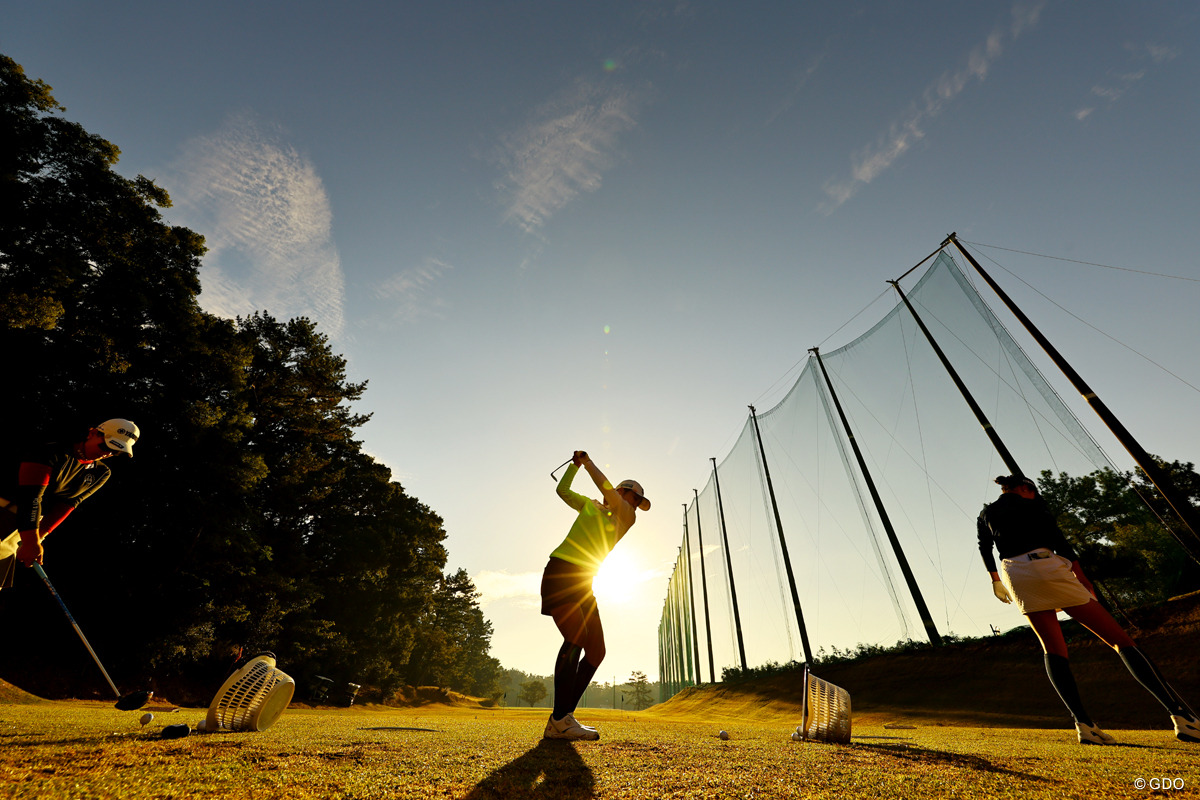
x: 251, y: 519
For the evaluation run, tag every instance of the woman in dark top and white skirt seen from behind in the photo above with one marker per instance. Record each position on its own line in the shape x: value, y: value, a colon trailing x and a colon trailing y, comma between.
x: 1042, y: 575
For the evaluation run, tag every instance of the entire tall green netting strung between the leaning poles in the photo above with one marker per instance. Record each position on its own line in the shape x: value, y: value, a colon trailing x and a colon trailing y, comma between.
x: 932, y: 464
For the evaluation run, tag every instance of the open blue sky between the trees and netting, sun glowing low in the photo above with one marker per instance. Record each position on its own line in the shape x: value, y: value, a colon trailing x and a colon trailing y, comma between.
x: 537, y: 227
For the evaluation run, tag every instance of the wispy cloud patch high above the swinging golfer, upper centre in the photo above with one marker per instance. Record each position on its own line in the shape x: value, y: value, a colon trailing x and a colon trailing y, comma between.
x: 563, y: 151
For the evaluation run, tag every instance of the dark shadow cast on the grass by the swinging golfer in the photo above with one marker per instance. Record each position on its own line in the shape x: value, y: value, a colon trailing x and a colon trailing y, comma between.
x: 553, y: 769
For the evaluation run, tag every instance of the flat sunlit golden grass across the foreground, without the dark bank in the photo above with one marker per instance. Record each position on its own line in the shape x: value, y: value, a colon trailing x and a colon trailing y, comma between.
x: 89, y: 750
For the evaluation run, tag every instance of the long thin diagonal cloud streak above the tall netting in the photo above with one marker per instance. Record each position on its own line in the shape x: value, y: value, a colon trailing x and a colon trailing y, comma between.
x: 872, y: 161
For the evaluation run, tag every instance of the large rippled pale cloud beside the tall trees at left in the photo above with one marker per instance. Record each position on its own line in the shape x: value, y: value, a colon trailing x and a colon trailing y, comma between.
x: 267, y: 219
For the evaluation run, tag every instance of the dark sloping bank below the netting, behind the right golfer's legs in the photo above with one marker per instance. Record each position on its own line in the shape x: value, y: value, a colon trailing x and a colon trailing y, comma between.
x: 999, y: 682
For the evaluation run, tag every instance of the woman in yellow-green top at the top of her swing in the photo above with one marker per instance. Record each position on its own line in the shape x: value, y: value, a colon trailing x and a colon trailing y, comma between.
x: 567, y: 588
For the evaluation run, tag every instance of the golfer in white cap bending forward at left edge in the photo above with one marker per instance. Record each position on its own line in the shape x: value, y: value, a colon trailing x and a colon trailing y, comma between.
x: 43, y: 486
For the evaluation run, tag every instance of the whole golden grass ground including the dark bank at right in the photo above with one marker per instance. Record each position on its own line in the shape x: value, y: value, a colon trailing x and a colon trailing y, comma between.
x: 976, y: 720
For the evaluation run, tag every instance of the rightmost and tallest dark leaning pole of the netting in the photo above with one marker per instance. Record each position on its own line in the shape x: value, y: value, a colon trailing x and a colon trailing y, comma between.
x: 1179, y: 502
